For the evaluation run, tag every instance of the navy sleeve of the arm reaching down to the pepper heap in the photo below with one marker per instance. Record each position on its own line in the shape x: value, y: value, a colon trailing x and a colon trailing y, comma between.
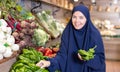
x: 59, y: 62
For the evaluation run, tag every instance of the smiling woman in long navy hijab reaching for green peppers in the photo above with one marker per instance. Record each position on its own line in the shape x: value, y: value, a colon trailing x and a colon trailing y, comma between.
x: 80, y: 33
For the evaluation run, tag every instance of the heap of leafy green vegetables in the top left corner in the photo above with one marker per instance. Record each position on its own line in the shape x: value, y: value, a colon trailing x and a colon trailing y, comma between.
x: 14, y: 9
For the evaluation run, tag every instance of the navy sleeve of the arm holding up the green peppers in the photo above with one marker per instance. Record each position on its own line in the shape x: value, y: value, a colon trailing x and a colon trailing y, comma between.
x: 99, y: 60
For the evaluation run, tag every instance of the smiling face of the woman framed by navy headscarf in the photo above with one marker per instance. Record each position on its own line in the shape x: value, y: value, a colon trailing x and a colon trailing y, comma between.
x: 78, y: 20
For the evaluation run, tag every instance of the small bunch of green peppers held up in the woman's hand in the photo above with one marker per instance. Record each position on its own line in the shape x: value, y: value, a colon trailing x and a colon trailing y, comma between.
x: 87, y: 55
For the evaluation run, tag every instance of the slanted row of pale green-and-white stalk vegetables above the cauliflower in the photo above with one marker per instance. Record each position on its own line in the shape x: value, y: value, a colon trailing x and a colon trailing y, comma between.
x: 50, y: 25
